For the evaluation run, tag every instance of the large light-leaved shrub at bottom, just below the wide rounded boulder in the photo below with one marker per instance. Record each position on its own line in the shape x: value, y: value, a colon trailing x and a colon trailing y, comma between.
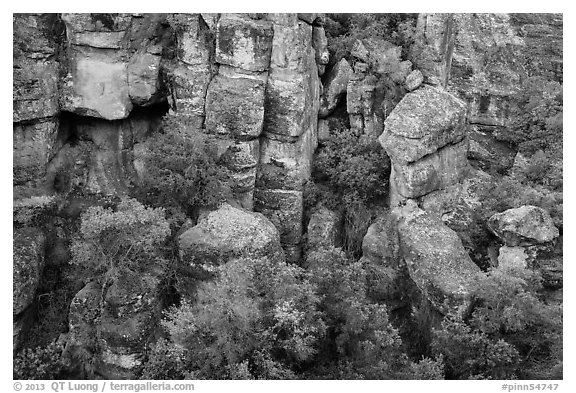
x: 257, y: 319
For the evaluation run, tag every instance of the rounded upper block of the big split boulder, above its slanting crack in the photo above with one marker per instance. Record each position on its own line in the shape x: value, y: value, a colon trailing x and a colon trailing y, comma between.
x: 424, y: 121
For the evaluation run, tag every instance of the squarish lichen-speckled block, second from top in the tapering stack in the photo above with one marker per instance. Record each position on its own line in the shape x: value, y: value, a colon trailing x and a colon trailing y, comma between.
x: 235, y: 107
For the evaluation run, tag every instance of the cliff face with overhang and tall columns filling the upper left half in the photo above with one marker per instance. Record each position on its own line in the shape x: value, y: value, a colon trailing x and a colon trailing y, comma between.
x: 250, y: 80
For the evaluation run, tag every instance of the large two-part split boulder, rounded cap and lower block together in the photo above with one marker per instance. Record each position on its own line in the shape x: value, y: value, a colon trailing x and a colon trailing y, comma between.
x: 426, y: 139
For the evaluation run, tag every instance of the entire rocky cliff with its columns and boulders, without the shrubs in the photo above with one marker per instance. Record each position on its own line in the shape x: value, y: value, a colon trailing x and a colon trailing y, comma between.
x: 90, y: 89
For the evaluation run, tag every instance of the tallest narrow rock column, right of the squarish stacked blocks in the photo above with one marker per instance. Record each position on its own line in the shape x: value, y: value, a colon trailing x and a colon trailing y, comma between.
x: 290, y: 128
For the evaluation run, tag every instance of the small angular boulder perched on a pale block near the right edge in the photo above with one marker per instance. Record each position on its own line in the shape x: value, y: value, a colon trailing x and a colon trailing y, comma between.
x: 523, y: 226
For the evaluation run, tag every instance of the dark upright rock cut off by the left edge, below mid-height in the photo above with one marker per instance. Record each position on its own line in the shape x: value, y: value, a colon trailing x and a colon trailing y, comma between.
x: 27, y: 266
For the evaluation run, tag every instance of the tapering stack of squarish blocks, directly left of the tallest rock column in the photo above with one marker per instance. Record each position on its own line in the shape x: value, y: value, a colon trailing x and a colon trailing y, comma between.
x: 235, y: 97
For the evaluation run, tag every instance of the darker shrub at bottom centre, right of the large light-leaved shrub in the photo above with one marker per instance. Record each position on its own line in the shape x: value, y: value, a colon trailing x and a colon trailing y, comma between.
x: 361, y: 341
